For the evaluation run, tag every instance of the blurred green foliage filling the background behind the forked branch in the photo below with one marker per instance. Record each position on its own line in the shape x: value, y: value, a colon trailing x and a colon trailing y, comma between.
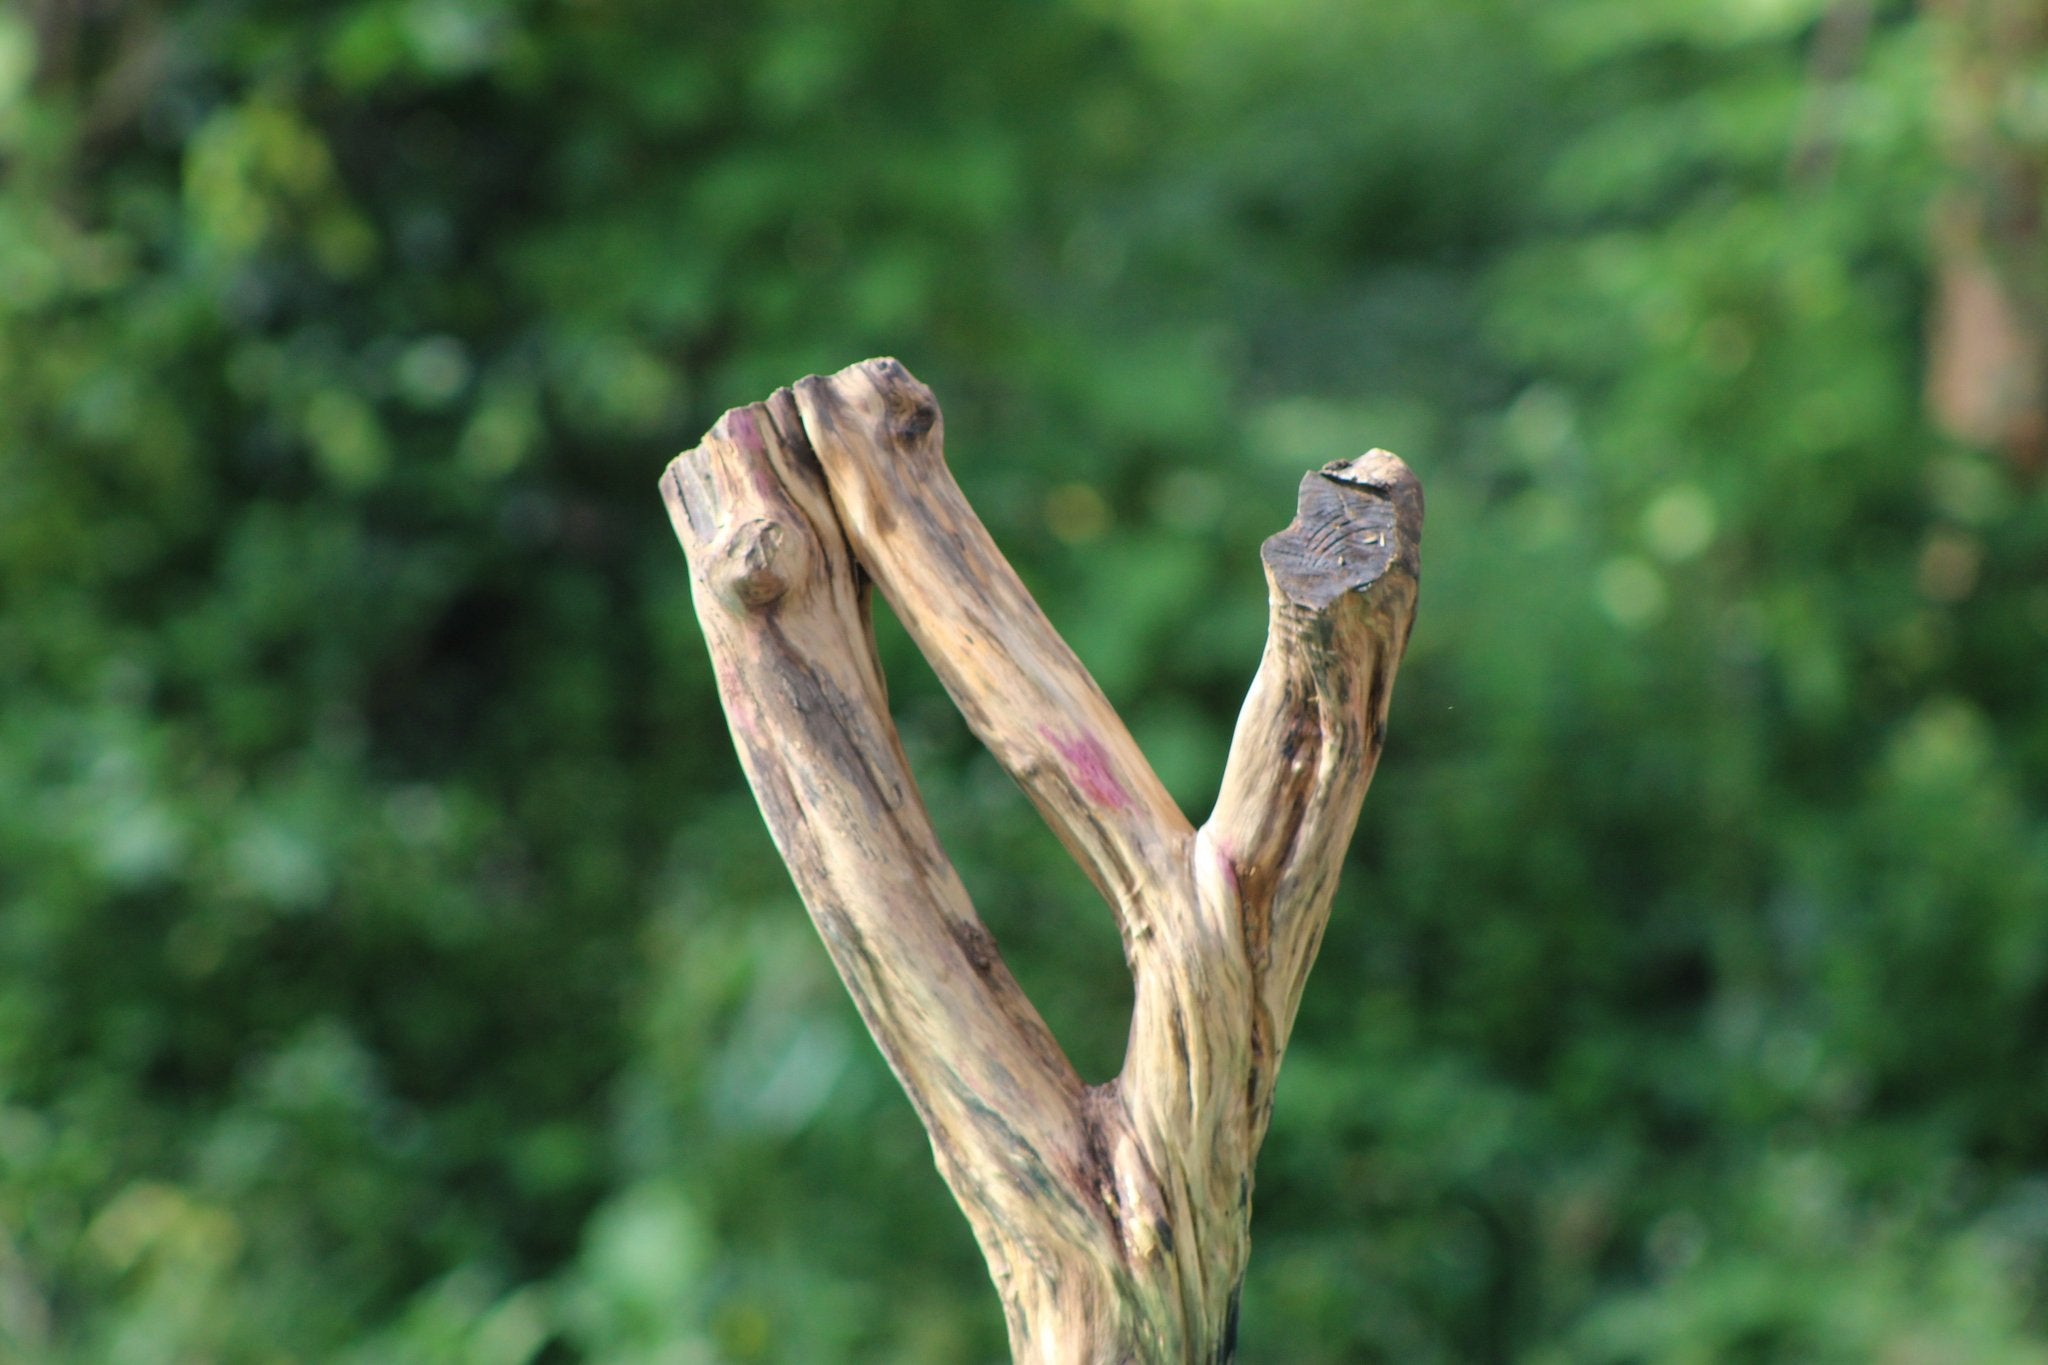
x: 394, y: 967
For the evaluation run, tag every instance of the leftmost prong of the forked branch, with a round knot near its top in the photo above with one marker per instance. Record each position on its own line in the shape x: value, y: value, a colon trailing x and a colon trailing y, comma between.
x: 783, y: 611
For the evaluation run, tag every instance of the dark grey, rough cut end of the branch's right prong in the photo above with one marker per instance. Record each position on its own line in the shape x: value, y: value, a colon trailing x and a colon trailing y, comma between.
x: 1359, y: 523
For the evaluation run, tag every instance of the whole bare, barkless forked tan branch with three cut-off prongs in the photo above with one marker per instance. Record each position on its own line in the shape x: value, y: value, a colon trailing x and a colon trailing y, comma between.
x: 1115, y: 1219
